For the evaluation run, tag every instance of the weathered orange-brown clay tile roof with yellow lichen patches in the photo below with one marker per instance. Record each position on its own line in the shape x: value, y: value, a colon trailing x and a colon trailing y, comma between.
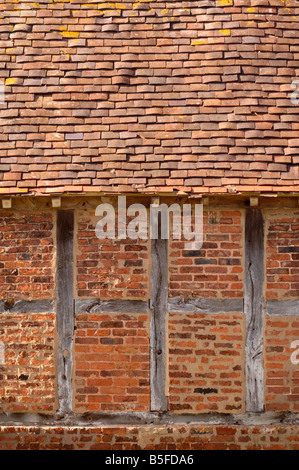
x: 143, y: 96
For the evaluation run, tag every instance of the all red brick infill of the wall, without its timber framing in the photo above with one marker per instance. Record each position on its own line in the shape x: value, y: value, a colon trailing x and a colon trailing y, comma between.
x: 205, y: 352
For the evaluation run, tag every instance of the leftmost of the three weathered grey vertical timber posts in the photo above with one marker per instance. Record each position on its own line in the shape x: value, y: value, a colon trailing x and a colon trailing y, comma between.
x: 65, y: 307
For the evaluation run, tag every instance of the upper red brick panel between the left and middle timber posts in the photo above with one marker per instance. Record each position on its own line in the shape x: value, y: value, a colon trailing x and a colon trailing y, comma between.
x: 110, y: 268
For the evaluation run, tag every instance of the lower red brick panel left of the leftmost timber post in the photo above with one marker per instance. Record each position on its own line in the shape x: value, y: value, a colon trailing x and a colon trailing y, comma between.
x: 28, y: 377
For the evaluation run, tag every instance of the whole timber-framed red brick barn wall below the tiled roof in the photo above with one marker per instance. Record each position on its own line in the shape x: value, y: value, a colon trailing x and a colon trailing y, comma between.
x: 119, y: 332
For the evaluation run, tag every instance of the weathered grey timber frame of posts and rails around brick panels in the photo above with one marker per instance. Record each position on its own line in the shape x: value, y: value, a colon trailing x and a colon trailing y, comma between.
x: 253, y: 306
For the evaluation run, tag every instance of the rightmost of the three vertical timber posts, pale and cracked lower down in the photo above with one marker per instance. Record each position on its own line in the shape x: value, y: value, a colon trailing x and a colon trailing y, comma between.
x: 254, y: 309
